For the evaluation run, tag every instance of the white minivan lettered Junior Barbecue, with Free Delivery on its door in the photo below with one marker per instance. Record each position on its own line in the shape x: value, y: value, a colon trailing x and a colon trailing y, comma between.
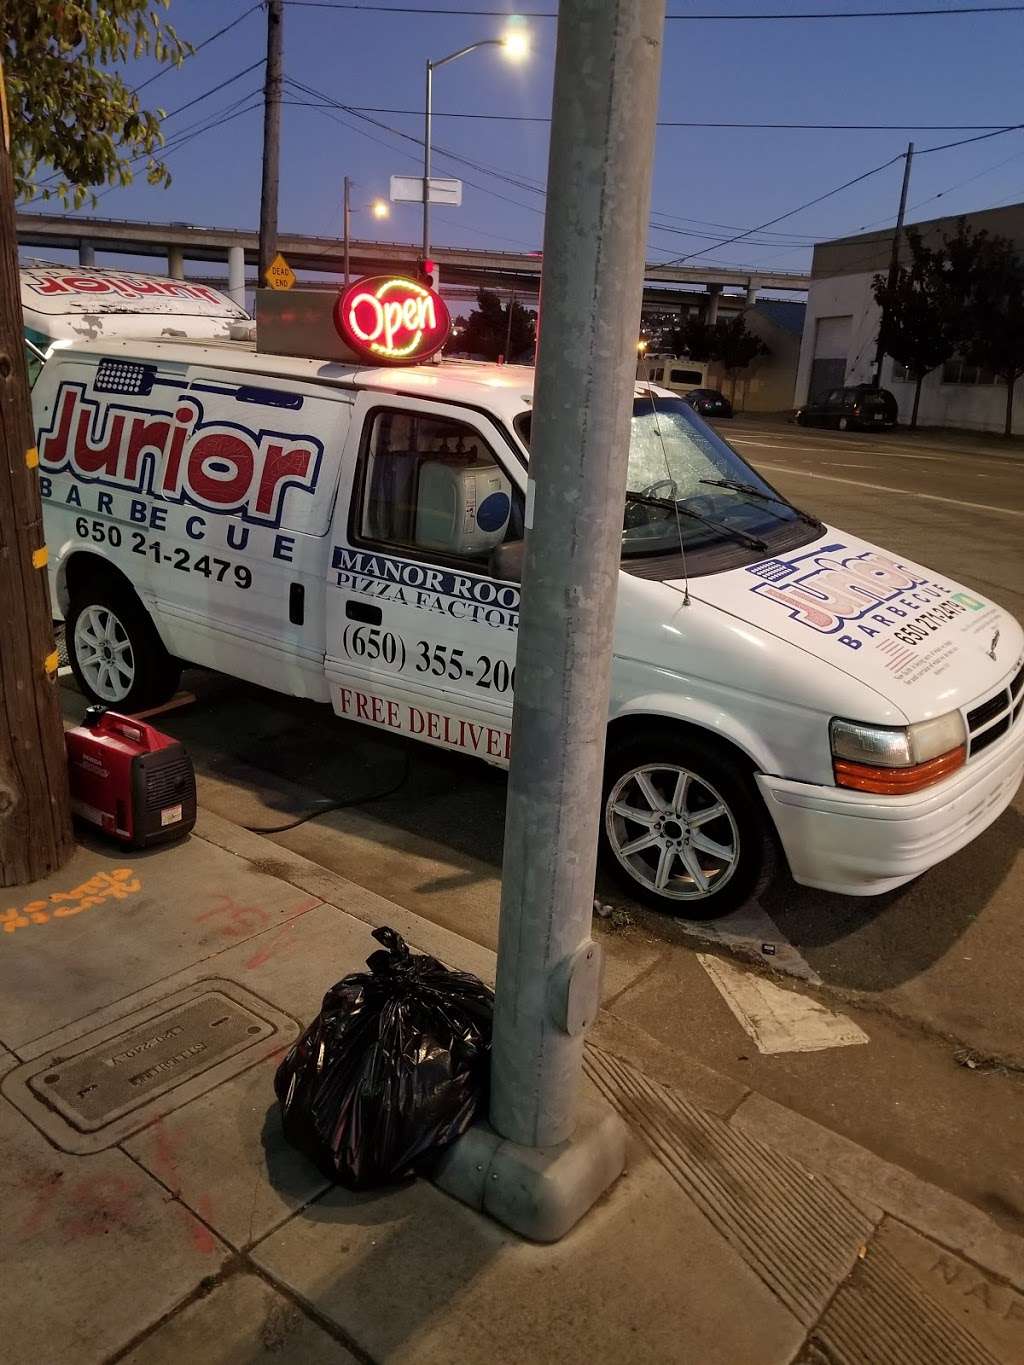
x: 353, y: 534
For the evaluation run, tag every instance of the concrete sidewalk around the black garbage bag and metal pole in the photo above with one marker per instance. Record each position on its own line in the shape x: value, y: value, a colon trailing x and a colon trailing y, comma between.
x: 152, y: 1211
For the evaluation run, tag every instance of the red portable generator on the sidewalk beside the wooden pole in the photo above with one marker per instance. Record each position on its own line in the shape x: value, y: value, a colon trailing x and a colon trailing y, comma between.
x: 129, y: 780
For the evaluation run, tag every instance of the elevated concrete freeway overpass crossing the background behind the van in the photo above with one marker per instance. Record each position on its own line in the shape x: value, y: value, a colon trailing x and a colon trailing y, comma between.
x: 181, y: 242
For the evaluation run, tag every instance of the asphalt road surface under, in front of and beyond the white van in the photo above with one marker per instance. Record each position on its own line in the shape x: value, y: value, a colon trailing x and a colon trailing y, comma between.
x: 930, y: 973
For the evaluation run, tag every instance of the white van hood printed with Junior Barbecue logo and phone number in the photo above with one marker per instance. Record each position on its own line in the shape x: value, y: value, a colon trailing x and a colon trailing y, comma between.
x: 928, y: 645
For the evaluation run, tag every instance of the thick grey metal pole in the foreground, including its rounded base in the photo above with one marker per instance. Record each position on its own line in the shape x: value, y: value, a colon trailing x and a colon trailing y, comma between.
x: 550, y: 1157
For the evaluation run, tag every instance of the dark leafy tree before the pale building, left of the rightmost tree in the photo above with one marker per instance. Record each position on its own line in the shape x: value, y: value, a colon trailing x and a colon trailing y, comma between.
x: 922, y: 321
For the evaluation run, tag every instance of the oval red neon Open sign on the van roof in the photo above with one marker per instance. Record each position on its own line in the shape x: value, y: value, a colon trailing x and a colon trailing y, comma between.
x: 393, y: 321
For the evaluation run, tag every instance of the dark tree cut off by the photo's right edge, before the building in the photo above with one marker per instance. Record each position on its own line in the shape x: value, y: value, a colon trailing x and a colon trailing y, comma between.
x: 997, y: 317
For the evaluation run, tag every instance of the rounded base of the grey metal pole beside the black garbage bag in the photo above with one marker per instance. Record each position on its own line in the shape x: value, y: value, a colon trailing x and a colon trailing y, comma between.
x: 540, y: 1192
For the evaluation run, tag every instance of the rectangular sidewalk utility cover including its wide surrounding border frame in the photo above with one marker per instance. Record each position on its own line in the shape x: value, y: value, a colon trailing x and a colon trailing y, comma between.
x: 89, y: 1090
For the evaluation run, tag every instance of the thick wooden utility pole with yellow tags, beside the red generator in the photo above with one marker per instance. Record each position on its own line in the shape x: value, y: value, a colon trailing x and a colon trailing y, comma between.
x: 35, y: 807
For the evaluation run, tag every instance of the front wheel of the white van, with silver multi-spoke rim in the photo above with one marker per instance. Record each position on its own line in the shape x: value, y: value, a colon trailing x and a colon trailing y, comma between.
x: 683, y: 828
